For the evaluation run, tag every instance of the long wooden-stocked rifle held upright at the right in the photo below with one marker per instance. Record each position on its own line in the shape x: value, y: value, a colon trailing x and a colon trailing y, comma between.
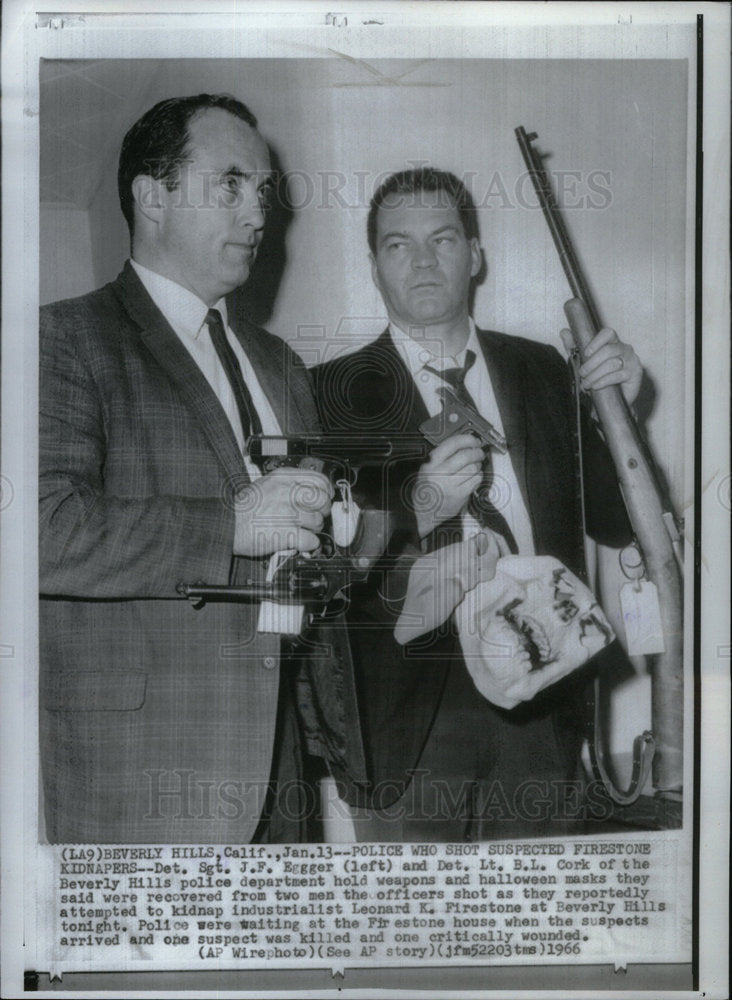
x: 650, y: 516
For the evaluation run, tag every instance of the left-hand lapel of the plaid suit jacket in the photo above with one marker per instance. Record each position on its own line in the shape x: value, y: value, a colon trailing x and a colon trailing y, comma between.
x: 165, y: 346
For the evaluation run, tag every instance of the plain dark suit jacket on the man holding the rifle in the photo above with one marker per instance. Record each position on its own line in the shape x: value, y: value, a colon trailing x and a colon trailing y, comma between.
x: 373, y: 391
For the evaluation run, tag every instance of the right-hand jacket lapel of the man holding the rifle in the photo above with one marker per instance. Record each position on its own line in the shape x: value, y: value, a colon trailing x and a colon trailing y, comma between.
x: 507, y: 375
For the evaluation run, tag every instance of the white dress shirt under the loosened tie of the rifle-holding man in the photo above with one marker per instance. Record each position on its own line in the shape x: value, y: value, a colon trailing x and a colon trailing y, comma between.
x: 418, y: 353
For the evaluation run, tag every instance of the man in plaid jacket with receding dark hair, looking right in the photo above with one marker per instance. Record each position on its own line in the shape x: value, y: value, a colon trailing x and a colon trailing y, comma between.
x: 161, y: 722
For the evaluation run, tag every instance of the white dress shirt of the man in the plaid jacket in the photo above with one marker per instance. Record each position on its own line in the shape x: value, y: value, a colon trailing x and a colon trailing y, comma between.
x: 186, y: 314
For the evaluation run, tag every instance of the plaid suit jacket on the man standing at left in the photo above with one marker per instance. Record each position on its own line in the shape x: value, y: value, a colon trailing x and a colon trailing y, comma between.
x: 157, y: 719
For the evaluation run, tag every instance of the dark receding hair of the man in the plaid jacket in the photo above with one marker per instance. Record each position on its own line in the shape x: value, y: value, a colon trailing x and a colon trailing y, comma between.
x: 157, y: 144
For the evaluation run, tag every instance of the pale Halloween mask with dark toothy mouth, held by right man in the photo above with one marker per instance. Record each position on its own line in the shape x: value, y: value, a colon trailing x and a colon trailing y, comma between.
x: 532, y: 624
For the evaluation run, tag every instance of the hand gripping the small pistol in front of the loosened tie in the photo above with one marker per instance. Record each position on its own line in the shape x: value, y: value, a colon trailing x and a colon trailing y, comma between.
x: 446, y: 480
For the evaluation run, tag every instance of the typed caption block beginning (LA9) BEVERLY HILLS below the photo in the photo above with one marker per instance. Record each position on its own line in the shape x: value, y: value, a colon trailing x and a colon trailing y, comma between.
x: 590, y: 901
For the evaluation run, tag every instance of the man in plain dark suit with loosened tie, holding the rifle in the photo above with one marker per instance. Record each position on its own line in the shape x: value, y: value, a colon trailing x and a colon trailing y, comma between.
x: 444, y: 762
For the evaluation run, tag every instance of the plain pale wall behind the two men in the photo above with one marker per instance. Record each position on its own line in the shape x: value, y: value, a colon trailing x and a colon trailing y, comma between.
x: 616, y: 131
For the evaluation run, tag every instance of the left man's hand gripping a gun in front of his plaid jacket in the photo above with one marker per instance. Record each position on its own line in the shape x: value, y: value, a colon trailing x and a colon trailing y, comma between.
x: 282, y: 510
